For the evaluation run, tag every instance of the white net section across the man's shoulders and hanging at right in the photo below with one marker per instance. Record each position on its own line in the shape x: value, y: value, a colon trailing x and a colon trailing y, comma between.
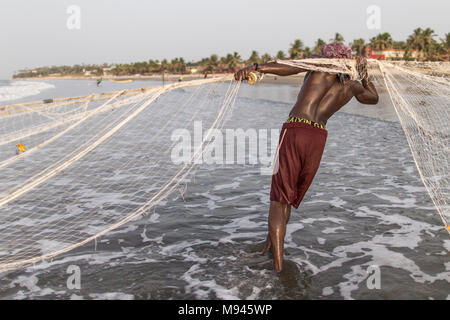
x: 420, y: 95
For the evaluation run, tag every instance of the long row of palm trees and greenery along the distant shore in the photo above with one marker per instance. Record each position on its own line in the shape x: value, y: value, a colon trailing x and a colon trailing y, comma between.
x: 421, y: 45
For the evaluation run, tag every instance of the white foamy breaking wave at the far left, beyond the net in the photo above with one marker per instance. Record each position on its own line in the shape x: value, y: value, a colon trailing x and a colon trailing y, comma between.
x: 21, y: 89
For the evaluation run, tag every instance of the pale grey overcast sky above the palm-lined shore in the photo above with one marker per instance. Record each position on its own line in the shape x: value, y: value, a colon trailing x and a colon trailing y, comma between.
x: 35, y: 33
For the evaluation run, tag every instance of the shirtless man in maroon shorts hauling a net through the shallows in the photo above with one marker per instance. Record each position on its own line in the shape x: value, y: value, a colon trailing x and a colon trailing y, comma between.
x: 303, y: 136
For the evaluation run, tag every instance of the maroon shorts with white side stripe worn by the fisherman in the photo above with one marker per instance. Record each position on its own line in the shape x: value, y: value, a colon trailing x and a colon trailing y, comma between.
x: 298, y: 158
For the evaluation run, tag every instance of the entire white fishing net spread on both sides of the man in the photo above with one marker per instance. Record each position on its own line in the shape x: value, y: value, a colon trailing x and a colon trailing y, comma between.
x: 73, y: 169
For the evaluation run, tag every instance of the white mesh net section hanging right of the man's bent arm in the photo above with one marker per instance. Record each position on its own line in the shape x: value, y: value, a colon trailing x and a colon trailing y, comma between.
x: 422, y: 105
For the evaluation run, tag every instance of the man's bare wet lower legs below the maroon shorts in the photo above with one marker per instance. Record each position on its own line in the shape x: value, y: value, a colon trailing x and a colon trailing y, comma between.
x: 279, y: 215
